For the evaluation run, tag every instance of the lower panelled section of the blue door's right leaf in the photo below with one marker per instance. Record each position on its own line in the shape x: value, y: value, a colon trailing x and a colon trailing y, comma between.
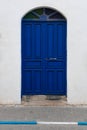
x: 55, y: 81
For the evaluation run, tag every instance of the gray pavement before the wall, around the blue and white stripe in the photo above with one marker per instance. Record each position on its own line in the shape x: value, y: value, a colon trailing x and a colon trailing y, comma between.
x: 43, y: 113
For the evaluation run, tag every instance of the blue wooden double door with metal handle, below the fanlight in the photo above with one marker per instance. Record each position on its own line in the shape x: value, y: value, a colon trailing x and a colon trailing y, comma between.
x: 43, y: 58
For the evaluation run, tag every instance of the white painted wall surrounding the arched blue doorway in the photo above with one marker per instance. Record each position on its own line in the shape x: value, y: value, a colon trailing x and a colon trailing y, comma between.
x: 11, y: 12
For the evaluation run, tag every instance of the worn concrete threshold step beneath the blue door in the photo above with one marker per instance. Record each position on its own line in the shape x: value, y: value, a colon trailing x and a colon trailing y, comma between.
x: 44, y: 100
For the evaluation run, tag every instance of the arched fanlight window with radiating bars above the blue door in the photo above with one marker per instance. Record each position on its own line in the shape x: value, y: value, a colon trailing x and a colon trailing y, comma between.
x: 44, y: 14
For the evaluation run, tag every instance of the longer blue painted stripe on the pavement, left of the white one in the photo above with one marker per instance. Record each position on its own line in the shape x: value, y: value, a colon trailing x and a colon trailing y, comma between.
x: 18, y: 122
